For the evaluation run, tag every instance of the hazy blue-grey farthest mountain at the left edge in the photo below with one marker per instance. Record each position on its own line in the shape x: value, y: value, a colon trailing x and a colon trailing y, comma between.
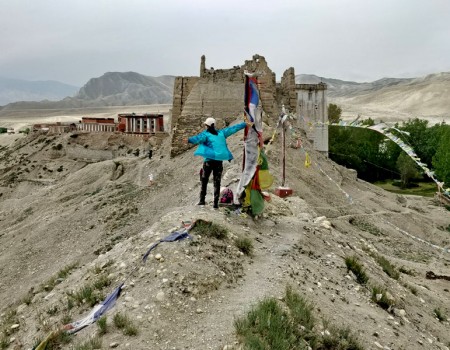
x: 12, y: 90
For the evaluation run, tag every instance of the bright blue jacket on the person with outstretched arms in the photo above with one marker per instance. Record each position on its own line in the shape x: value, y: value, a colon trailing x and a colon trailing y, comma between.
x: 215, y: 147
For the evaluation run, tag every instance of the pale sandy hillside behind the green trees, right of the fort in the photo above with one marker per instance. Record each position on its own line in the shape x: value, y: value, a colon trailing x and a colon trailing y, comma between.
x: 391, y: 99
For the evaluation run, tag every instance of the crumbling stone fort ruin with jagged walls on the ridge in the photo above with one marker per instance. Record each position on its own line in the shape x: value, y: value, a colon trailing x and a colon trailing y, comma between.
x: 220, y: 93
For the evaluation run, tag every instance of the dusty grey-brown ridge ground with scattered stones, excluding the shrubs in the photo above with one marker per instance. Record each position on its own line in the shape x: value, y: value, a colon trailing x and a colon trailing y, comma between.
x: 100, y: 217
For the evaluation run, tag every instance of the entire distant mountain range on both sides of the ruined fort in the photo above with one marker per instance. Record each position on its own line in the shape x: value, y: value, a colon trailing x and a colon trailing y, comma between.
x: 384, y: 99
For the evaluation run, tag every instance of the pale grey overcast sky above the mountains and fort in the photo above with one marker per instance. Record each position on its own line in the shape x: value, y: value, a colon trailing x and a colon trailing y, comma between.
x: 72, y: 41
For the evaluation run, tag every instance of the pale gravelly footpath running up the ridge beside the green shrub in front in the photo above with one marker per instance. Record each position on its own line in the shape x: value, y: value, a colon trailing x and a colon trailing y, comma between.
x: 216, y: 329
